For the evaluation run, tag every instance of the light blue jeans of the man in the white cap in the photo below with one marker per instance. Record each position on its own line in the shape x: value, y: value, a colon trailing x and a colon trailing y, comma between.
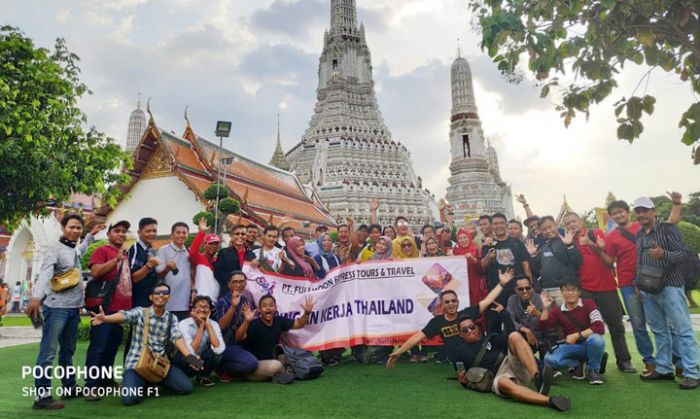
x: 669, y: 320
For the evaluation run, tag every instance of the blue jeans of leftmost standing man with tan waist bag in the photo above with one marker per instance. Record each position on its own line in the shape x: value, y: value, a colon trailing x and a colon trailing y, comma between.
x: 60, y: 328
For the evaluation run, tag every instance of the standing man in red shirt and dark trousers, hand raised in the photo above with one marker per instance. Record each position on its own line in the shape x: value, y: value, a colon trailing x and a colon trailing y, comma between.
x: 598, y: 284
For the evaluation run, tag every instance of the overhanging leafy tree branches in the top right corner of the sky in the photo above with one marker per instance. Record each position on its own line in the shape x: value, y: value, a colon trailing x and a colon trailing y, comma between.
x: 596, y: 39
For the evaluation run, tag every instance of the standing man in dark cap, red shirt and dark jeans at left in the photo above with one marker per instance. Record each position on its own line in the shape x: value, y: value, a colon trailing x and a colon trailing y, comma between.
x: 109, y: 263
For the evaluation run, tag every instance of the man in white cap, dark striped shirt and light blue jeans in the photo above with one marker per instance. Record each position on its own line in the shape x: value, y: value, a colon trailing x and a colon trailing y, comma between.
x: 659, y: 247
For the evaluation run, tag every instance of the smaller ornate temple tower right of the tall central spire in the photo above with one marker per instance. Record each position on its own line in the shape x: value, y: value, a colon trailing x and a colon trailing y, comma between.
x: 476, y: 186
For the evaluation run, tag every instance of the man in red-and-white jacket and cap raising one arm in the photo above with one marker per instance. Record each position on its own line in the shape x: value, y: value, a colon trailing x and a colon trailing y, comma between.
x: 203, y: 262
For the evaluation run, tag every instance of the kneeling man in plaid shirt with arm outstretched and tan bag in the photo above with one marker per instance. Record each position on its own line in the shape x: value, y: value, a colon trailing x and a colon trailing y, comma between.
x: 162, y: 327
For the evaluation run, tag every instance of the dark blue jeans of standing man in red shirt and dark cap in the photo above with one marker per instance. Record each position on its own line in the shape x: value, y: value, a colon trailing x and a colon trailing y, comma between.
x: 104, y: 345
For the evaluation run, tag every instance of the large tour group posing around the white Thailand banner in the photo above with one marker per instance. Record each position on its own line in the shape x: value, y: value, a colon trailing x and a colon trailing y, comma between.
x: 538, y: 303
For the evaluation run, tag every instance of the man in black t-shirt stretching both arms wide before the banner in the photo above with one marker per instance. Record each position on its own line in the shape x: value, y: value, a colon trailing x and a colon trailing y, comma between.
x: 446, y: 324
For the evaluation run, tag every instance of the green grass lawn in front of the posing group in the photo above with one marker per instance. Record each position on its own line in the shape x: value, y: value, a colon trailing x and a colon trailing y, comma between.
x: 352, y: 390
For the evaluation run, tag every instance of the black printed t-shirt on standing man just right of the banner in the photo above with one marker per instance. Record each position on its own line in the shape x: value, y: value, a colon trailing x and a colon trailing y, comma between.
x: 510, y: 253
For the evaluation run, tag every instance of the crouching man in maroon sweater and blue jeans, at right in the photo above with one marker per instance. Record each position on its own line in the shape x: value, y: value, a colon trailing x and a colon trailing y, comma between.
x: 583, y: 329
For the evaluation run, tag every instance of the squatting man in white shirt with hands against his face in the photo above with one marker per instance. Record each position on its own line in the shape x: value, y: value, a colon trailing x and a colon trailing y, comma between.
x: 203, y: 338
